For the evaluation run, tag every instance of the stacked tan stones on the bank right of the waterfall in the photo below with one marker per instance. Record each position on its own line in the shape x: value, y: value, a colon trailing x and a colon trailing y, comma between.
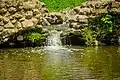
x: 78, y: 17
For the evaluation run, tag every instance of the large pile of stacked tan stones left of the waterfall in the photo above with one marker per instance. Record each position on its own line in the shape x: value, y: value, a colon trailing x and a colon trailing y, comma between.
x: 18, y: 15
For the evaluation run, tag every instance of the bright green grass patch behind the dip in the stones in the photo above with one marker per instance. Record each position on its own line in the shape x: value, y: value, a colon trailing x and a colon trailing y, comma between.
x: 57, y: 5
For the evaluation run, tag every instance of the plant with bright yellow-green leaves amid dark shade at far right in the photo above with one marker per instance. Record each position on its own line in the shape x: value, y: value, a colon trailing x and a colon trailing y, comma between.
x: 109, y: 26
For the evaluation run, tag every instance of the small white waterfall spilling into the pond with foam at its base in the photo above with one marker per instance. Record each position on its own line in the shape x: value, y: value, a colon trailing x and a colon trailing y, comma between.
x: 53, y: 43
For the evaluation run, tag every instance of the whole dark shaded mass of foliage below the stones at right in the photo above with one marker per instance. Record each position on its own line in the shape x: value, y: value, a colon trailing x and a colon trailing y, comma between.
x: 105, y: 27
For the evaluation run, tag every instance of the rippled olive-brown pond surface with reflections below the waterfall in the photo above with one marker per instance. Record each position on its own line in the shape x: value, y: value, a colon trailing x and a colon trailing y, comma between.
x: 84, y: 63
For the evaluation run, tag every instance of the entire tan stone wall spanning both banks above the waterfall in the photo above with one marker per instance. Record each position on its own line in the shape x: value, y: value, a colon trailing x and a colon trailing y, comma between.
x: 17, y: 15
